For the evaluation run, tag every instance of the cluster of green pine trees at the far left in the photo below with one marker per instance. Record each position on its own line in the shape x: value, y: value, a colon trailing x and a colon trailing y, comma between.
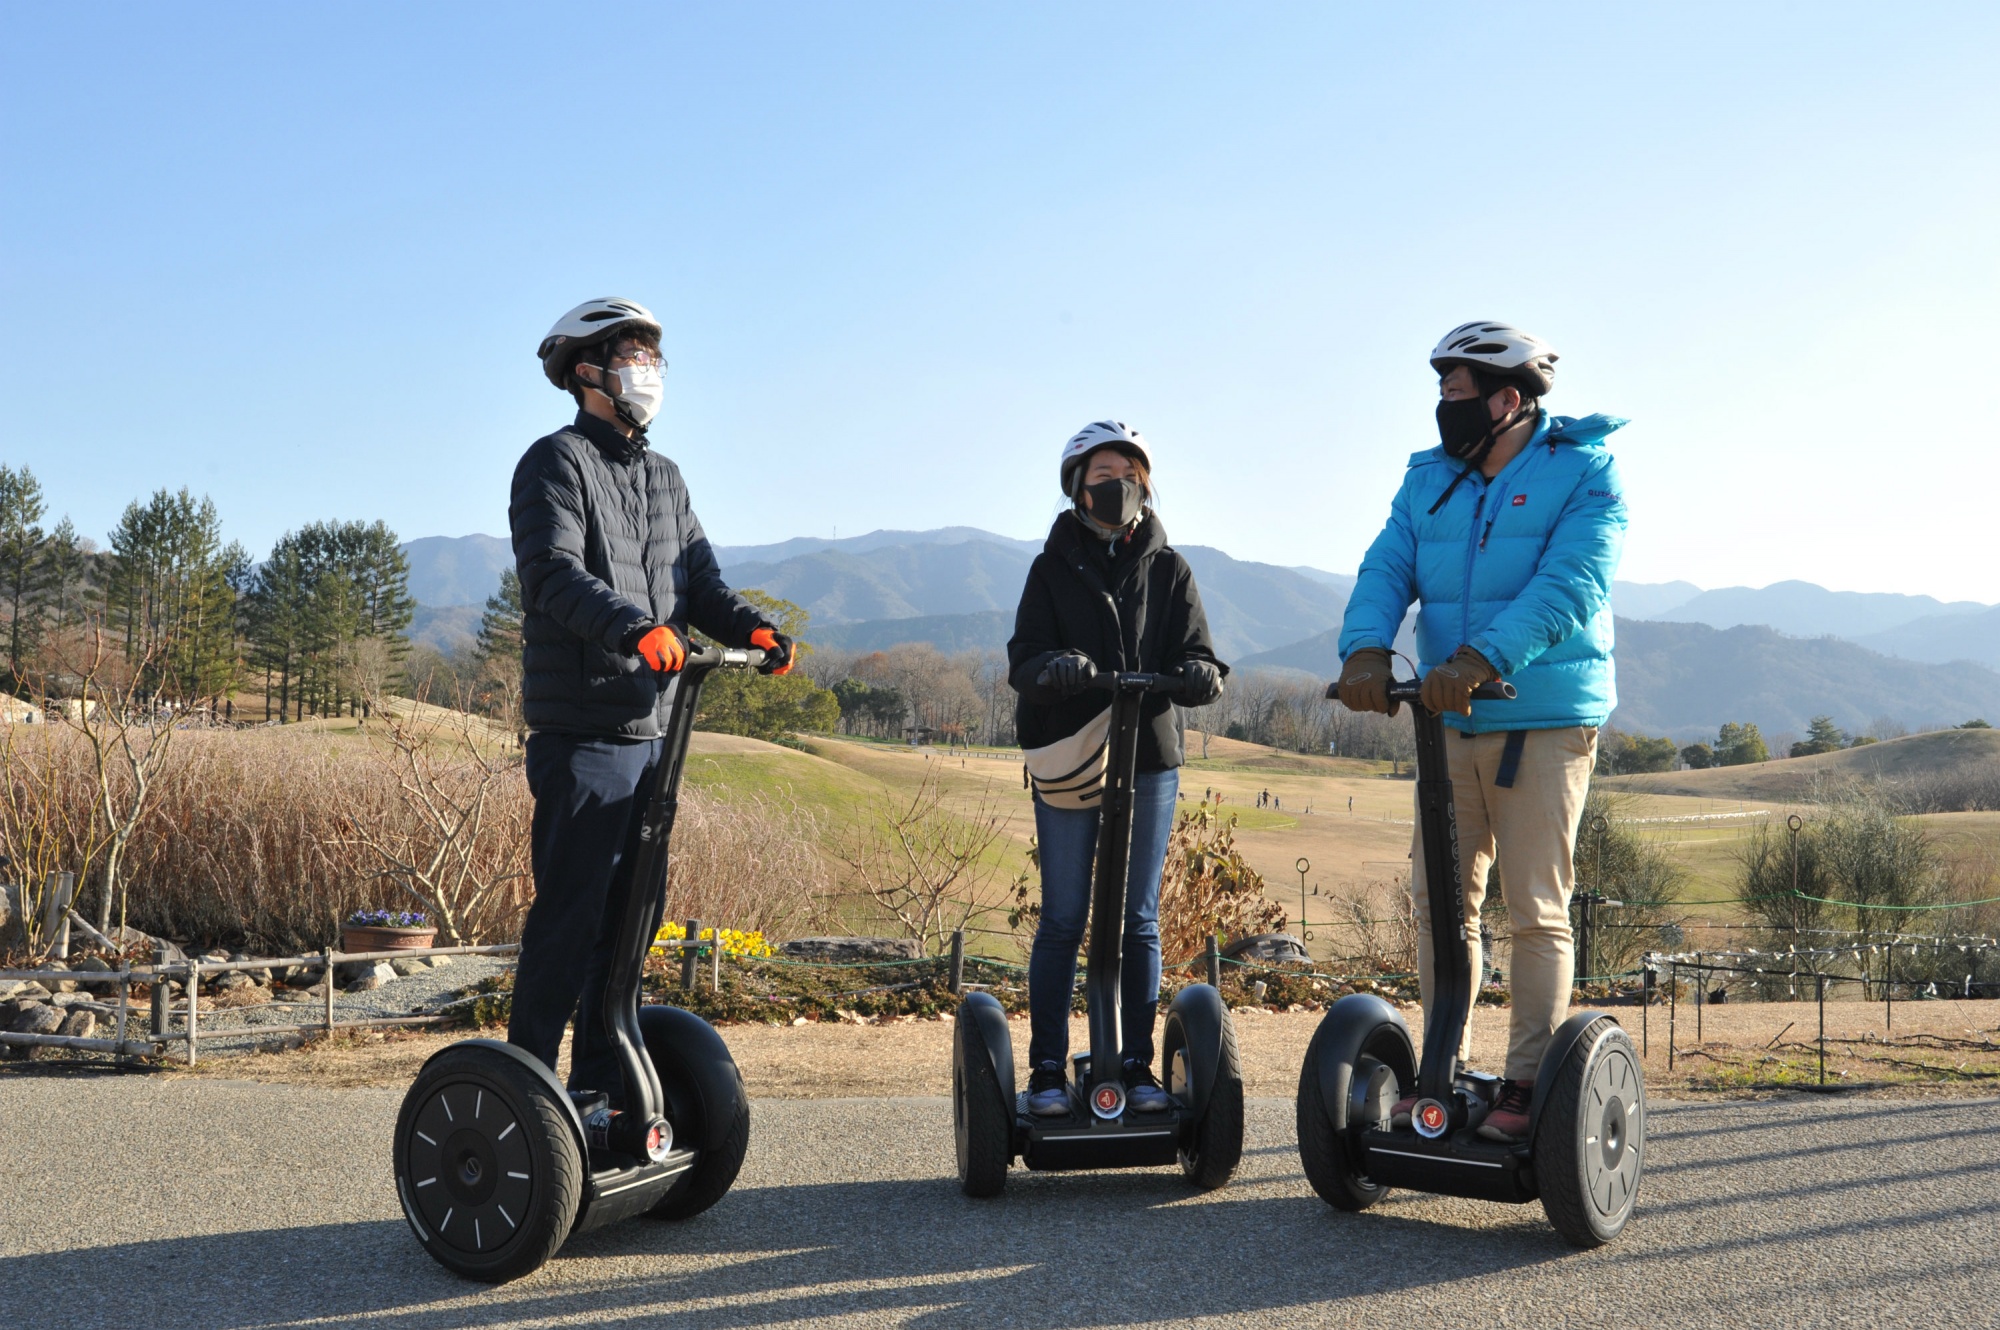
x: 321, y: 623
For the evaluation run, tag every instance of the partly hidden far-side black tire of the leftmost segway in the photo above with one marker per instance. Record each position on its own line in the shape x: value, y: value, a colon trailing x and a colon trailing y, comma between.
x: 705, y: 1101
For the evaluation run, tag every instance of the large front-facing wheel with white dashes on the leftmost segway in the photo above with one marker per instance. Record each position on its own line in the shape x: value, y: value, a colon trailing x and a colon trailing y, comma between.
x: 487, y: 1167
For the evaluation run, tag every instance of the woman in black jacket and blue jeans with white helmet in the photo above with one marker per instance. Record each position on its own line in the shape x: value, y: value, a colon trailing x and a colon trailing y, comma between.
x: 1107, y: 593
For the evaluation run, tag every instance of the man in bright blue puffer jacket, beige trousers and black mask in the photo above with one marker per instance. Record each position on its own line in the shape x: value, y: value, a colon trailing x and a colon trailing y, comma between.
x: 1507, y: 537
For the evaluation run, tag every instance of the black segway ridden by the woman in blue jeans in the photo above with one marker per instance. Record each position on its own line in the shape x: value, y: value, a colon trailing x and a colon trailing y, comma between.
x: 1203, y: 1131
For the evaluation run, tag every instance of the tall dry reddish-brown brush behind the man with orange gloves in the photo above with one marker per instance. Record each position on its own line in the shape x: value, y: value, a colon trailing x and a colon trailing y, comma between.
x: 251, y: 837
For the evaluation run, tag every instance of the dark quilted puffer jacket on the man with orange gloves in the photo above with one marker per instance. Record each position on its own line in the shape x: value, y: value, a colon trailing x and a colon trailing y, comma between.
x: 607, y: 543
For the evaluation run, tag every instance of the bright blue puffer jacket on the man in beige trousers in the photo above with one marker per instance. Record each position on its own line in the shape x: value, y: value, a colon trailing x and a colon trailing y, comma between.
x: 1517, y: 567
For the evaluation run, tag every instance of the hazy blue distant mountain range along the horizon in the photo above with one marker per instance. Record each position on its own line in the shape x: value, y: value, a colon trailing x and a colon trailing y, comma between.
x: 1689, y: 659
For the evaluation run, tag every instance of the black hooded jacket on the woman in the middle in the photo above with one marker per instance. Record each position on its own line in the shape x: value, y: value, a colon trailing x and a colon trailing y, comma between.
x: 1129, y: 605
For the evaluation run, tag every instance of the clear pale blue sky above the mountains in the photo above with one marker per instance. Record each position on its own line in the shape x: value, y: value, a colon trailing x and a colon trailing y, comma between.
x: 299, y: 257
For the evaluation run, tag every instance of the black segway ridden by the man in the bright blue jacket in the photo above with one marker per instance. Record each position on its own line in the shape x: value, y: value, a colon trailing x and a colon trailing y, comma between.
x: 1587, y: 1141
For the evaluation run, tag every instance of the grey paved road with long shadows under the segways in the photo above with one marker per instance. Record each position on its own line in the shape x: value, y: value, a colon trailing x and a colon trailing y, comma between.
x: 193, y: 1203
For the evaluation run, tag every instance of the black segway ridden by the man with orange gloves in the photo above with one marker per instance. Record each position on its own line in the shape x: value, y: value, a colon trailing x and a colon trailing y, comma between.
x: 497, y: 1163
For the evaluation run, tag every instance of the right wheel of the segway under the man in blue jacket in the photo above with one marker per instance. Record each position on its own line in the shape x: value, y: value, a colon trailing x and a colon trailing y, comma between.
x: 1591, y: 1139
